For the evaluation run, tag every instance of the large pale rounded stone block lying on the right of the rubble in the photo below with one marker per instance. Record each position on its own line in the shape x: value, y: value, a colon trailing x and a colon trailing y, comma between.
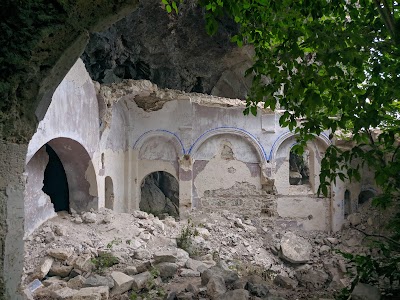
x: 295, y: 249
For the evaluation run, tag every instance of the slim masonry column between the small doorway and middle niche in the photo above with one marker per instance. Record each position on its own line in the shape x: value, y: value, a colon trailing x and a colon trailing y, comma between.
x: 185, y: 185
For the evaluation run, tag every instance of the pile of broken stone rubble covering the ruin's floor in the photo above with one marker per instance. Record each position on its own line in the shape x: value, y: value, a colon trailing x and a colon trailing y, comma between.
x: 108, y: 255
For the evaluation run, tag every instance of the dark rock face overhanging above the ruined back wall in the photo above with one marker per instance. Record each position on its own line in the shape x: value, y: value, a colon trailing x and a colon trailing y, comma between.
x: 172, y: 51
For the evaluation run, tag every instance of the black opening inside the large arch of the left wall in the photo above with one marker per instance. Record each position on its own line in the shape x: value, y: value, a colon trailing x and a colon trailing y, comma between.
x: 55, y: 182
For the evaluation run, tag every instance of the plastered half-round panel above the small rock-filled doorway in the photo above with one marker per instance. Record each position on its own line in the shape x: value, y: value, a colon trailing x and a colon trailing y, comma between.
x: 159, y: 145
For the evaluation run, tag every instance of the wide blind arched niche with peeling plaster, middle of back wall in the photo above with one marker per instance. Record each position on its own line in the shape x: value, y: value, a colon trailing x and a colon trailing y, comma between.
x: 227, y: 172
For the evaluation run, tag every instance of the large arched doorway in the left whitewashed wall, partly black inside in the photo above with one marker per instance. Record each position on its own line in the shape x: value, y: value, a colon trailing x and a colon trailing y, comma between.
x: 60, y: 176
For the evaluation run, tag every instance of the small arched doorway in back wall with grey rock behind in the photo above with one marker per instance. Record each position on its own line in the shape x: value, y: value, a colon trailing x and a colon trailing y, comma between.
x: 160, y: 195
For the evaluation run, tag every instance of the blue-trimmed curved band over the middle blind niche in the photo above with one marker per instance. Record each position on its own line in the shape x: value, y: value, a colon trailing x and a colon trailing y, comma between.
x: 230, y: 130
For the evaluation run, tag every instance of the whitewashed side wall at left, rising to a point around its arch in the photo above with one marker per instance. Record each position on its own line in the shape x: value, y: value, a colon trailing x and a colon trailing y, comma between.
x: 71, y: 128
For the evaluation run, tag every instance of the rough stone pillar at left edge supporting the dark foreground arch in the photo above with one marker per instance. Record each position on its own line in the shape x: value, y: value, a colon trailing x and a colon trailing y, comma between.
x: 12, y: 188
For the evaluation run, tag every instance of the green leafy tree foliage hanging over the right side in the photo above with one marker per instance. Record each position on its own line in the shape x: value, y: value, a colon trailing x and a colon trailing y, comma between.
x: 330, y: 65
